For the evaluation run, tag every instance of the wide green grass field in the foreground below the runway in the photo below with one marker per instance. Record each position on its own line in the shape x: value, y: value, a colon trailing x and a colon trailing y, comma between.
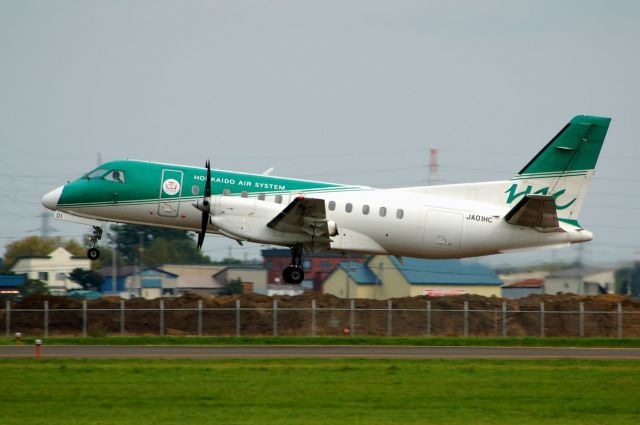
x: 318, y: 392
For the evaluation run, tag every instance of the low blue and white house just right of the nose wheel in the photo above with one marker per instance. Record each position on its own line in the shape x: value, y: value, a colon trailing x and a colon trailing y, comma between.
x: 151, y: 283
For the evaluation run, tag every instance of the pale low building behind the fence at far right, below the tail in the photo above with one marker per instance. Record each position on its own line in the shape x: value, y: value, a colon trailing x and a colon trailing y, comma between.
x: 581, y: 281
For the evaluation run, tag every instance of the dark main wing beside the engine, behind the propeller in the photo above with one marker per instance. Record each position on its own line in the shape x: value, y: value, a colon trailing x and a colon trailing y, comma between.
x: 304, y: 215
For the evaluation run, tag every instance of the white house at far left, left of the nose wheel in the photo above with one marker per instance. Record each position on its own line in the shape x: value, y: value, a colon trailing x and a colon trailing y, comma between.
x: 52, y: 269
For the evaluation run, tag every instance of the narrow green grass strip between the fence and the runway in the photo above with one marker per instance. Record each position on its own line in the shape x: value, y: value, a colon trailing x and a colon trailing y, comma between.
x: 425, y: 341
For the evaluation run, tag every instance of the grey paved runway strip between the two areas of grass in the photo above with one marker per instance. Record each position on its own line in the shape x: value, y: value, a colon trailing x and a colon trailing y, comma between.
x: 316, y: 351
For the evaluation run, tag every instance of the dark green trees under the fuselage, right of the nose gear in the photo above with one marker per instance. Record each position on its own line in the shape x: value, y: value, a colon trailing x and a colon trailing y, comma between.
x: 160, y: 245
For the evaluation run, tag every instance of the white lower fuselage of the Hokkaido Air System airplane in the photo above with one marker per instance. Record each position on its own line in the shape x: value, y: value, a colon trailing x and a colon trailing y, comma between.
x: 401, y: 222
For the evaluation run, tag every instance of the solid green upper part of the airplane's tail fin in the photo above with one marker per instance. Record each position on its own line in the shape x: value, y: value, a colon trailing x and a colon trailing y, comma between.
x: 575, y: 148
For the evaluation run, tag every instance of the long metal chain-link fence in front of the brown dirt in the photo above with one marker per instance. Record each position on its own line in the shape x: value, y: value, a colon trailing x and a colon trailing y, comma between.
x: 278, y: 319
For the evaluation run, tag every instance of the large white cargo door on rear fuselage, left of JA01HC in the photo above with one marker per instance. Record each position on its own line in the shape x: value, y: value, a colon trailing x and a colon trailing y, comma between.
x: 443, y: 229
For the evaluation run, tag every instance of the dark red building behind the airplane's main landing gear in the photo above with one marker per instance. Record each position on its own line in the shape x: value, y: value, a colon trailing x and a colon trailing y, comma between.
x: 317, y: 266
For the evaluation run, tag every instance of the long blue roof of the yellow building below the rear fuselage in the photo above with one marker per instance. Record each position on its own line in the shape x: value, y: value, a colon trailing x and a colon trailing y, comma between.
x: 445, y: 272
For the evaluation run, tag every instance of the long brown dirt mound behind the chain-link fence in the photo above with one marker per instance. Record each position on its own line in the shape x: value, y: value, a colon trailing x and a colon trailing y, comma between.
x: 551, y: 315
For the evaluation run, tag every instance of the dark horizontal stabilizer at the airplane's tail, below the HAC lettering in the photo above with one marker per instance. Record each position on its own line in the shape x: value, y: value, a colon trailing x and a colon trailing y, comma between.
x: 537, y: 211
